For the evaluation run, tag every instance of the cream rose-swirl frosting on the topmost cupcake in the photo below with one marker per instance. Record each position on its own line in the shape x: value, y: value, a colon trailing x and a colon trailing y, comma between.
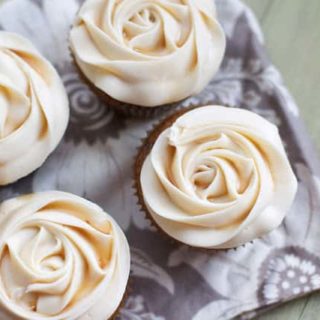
x: 148, y: 52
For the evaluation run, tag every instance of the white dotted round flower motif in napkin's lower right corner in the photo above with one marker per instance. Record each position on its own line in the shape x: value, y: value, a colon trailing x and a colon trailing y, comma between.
x: 287, y: 273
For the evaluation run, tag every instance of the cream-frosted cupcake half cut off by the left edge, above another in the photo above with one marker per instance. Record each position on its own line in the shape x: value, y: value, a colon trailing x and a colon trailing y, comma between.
x: 34, y: 109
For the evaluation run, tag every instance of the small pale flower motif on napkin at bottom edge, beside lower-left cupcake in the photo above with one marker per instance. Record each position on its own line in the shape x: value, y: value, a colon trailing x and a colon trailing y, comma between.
x: 135, y: 309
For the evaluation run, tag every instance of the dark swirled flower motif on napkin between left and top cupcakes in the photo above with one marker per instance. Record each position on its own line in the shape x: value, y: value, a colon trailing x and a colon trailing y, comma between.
x: 90, y: 118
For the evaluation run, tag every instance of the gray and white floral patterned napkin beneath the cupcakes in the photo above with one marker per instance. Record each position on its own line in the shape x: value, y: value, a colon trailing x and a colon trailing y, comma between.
x: 95, y: 161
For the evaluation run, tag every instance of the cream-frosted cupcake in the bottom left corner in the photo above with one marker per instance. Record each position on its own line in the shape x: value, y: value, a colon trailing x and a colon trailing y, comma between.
x: 62, y: 257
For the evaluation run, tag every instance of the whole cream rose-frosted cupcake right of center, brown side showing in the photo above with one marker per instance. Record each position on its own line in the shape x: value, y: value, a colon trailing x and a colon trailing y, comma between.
x: 215, y: 177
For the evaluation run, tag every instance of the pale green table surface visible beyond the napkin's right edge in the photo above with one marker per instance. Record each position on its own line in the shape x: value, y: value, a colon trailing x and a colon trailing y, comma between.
x: 292, y: 32
